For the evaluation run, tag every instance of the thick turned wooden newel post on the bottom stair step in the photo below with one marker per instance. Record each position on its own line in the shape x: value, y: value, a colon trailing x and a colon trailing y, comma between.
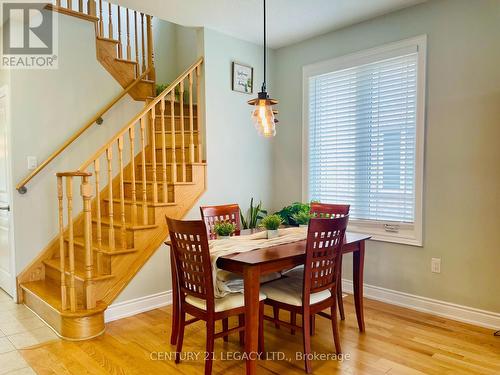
x: 86, y: 193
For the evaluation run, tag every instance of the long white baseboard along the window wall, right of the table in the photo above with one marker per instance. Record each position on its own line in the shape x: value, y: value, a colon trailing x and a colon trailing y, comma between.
x: 483, y: 318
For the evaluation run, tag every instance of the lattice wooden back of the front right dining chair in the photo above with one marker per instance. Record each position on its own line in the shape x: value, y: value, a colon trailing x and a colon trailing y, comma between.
x: 323, y: 255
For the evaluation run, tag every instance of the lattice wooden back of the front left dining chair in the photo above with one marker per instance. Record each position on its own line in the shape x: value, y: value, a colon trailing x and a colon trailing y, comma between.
x: 192, y: 259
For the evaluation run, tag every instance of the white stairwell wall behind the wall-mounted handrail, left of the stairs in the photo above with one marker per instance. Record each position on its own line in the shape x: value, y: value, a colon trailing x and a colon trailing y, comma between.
x: 48, y: 106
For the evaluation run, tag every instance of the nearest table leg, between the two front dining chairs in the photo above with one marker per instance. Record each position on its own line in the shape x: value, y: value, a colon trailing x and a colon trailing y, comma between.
x: 251, y: 276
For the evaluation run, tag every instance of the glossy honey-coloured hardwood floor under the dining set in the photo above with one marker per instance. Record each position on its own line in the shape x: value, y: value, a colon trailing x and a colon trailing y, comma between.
x: 397, y: 341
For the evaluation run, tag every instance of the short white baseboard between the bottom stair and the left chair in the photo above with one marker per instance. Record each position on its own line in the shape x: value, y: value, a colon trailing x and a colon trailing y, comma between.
x: 136, y: 306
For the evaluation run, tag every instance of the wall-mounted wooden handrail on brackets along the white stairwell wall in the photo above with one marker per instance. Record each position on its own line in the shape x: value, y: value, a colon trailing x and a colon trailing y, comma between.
x: 21, y: 186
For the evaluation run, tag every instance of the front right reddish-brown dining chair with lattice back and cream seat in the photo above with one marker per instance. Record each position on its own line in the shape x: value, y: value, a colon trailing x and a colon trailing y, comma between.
x: 318, y: 287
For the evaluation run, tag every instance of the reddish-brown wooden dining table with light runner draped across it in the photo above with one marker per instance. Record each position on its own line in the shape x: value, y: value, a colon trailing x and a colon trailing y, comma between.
x: 251, y: 265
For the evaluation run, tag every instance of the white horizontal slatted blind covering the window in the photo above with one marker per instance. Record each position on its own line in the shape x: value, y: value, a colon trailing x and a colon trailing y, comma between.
x: 362, y: 131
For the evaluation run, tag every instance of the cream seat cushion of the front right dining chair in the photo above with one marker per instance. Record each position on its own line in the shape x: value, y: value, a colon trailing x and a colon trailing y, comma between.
x: 289, y: 291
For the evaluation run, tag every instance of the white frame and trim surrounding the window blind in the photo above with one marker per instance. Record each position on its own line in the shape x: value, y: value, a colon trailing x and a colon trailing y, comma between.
x: 387, y: 231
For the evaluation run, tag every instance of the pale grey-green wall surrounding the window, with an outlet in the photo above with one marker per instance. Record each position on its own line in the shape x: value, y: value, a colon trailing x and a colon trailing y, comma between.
x: 462, y: 151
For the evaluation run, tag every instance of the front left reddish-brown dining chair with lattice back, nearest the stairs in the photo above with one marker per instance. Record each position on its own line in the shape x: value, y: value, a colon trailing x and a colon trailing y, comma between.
x: 193, y: 267
